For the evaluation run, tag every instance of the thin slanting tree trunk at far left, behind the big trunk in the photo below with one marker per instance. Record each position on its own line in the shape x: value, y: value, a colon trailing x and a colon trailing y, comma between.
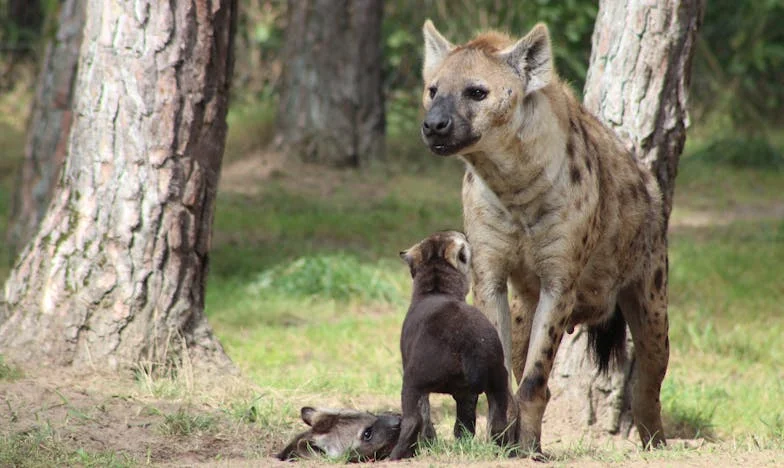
x: 48, y: 129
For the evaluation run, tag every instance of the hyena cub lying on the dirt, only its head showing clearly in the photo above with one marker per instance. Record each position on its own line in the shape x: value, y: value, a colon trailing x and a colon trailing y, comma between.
x: 342, y: 433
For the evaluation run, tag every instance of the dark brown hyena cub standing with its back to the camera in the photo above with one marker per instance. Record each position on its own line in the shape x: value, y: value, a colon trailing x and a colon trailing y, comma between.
x: 447, y: 345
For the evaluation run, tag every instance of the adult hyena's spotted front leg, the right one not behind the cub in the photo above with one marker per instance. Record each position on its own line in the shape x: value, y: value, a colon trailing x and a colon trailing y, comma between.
x: 546, y: 332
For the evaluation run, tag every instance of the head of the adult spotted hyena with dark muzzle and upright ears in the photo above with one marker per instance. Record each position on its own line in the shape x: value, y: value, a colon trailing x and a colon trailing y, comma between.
x: 473, y: 91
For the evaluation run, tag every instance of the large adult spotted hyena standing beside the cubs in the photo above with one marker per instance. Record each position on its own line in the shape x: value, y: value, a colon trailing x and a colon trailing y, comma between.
x: 555, y: 207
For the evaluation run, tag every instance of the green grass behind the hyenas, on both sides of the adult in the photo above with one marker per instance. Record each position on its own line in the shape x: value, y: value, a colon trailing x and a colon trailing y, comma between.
x: 277, y: 303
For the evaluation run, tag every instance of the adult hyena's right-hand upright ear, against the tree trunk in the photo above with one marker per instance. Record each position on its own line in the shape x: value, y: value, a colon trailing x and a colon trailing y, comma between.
x: 532, y: 58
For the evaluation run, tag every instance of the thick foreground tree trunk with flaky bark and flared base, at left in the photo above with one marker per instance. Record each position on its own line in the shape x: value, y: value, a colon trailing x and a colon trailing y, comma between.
x: 117, y: 271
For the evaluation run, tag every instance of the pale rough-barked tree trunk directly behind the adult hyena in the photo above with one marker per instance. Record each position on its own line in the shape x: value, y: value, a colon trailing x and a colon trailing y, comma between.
x: 637, y: 84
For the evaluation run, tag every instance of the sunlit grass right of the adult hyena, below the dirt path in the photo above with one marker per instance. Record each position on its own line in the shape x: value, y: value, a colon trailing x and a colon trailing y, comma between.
x: 726, y: 328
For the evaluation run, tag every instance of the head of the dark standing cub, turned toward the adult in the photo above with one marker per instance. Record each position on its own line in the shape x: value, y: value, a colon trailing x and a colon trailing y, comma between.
x: 441, y: 254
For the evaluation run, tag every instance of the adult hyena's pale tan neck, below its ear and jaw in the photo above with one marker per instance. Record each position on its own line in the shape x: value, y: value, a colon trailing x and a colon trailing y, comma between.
x: 529, y: 163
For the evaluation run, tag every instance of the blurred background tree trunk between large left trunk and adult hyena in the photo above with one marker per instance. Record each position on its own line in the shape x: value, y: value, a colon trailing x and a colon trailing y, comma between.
x: 331, y: 106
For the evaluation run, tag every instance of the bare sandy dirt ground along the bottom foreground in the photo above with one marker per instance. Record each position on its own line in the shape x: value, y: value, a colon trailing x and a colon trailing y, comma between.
x: 111, y: 413
